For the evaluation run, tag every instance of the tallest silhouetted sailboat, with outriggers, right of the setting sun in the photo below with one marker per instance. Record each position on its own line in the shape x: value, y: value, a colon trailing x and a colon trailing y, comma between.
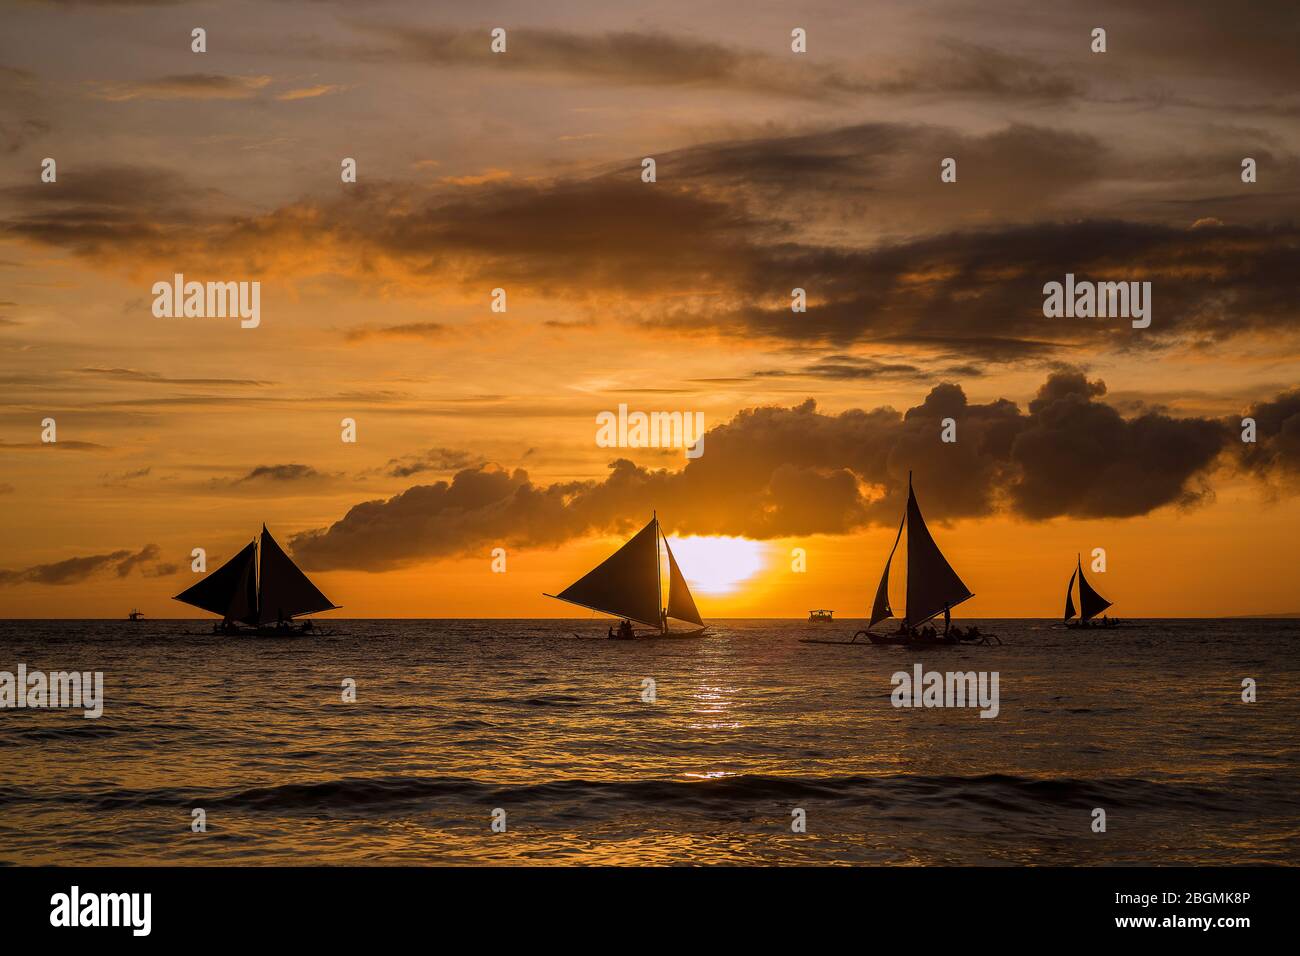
x: 933, y: 586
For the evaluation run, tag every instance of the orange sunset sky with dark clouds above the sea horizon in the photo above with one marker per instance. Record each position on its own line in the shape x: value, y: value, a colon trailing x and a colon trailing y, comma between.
x: 523, y: 171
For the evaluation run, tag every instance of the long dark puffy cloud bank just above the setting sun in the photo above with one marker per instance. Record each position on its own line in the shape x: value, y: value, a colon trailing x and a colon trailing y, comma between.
x: 775, y: 473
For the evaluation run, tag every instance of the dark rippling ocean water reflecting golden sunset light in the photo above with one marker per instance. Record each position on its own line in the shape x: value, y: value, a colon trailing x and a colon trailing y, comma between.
x: 457, y: 719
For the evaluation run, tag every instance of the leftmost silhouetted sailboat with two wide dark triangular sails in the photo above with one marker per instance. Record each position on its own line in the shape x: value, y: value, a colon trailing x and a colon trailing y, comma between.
x: 258, y: 598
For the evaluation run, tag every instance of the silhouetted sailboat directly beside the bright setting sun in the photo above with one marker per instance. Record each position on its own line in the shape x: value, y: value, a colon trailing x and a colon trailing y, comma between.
x: 630, y: 585
